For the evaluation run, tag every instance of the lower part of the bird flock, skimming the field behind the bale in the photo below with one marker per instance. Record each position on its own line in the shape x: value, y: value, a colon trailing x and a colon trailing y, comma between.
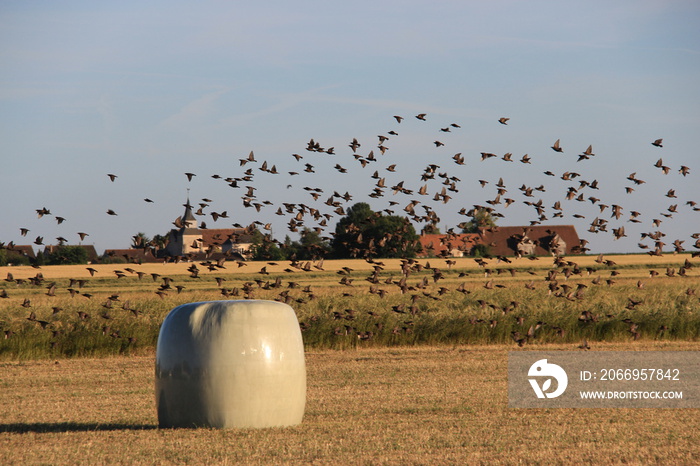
x: 420, y: 282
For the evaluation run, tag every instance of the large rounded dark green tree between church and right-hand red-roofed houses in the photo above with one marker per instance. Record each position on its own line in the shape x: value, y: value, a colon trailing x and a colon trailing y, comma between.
x: 365, y: 233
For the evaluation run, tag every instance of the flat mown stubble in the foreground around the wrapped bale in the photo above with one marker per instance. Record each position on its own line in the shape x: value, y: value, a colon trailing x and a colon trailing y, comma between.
x: 424, y: 405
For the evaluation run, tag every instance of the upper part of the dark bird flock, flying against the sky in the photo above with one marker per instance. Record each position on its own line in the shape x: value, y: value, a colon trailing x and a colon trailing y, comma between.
x: 423, y: 198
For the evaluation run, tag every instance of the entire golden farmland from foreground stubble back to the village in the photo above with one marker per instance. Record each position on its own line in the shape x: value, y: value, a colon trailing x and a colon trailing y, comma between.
x: 428, y: 385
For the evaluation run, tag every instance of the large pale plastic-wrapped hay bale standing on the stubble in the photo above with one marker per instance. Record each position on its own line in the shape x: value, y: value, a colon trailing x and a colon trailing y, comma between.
x: 230, y: 364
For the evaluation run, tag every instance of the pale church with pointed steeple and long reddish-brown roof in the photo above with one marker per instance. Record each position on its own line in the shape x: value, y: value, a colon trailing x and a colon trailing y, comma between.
x: 190, y: 238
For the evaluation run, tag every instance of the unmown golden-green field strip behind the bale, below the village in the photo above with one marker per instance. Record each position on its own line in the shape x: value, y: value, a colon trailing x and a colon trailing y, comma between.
x: 68, y: 312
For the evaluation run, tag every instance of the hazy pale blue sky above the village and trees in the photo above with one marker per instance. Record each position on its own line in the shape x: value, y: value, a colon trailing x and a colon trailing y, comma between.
x: 149, y: 91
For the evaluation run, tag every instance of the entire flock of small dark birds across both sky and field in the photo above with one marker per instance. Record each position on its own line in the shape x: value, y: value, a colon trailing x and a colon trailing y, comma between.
x: 421, y: 199
